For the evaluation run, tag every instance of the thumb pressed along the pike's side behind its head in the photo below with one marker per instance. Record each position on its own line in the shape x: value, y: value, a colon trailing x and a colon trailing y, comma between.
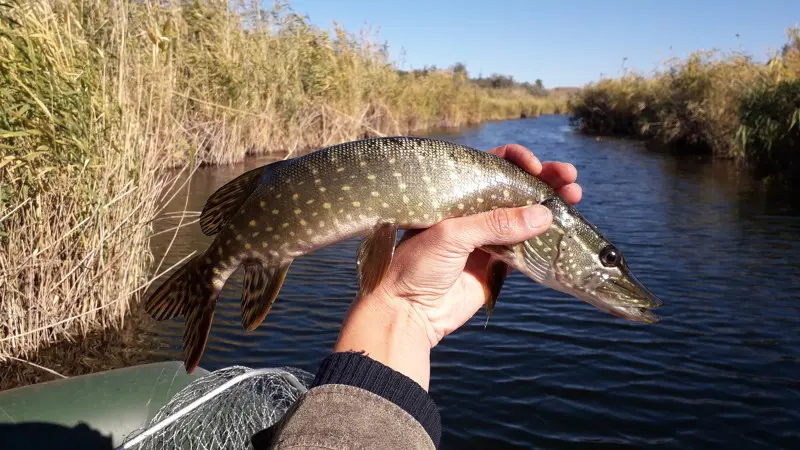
x: 502, y: 226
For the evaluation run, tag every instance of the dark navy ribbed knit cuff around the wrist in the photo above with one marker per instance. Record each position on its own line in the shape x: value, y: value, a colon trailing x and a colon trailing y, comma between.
x: 361, y: 371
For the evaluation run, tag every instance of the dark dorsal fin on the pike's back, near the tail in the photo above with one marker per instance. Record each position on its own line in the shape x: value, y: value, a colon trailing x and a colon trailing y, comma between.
x: 226, y: 200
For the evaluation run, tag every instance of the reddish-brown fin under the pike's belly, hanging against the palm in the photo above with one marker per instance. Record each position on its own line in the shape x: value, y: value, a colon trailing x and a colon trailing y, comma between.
x: 374, y: 256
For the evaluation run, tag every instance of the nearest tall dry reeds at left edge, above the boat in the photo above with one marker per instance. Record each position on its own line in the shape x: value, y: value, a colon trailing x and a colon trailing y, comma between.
x: 82, y: 131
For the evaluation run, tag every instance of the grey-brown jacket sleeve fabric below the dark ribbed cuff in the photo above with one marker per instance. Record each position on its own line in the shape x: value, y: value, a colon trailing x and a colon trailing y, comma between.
x: 338, y: 416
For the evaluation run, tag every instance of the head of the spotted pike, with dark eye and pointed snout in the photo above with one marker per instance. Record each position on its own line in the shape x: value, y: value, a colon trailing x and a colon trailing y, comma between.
x: 573, y: 257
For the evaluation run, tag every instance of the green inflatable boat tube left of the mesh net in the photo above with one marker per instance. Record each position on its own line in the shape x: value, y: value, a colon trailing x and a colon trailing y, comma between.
x: 89, y: 412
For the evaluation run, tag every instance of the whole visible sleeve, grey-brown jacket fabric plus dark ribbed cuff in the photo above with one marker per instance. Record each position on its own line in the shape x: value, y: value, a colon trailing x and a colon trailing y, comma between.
x: 356, y: 399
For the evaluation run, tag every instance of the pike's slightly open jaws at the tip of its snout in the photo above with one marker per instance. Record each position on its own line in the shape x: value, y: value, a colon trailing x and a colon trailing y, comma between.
x: 625, y: 297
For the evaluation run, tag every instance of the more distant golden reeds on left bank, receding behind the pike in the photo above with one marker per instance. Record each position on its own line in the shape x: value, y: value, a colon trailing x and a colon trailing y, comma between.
x: 262, y: 80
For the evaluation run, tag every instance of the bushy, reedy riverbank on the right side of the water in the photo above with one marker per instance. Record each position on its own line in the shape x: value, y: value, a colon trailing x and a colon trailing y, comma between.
x: 720, y: 104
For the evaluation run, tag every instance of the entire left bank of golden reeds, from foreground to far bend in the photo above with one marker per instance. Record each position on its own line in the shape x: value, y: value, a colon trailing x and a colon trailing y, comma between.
x: 98, y: 99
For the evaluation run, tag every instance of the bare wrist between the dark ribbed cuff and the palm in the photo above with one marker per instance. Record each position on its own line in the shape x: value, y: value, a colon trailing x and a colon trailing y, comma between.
x: 390, y: 331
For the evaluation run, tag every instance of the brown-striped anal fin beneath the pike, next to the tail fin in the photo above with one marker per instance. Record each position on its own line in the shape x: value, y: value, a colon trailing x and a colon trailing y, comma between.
x: 261, y: 286
